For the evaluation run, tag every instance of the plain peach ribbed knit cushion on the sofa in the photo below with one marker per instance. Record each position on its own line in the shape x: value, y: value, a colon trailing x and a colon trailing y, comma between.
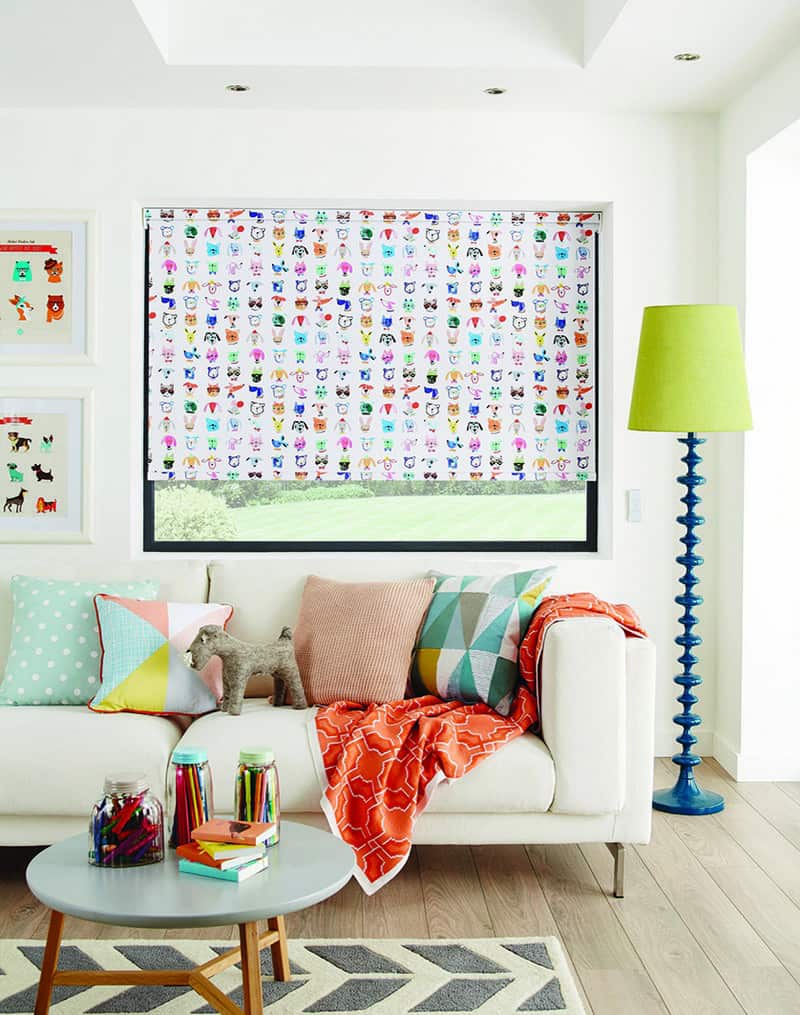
x: 355, y: 640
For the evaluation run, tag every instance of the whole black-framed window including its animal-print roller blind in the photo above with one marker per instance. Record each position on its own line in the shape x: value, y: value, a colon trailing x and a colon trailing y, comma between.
x: 194, y: 319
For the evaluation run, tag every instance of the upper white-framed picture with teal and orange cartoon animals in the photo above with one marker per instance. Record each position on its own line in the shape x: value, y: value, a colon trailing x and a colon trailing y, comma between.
x: 46, y: 313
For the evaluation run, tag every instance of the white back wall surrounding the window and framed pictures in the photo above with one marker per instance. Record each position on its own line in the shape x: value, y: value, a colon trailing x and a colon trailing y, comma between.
x: 657, y: 173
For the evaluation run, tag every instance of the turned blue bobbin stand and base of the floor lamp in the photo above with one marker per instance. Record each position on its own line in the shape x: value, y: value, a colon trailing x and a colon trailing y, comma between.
x: 687, y: 797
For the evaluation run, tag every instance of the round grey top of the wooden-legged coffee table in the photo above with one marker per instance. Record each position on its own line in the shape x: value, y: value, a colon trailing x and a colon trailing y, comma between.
x: 306, y: 867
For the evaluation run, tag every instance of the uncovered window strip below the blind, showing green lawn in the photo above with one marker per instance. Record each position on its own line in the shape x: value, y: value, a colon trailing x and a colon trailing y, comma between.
x: 275, y: 516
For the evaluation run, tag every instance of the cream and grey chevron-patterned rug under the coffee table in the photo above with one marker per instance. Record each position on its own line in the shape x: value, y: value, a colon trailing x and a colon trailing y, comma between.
x: 379, y: 977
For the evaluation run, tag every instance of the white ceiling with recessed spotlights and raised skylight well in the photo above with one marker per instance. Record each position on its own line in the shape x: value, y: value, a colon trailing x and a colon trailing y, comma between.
x: 551, y: 55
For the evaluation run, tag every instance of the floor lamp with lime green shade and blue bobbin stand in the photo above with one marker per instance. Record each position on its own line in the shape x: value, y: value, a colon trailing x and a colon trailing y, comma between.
x: 690, y: 379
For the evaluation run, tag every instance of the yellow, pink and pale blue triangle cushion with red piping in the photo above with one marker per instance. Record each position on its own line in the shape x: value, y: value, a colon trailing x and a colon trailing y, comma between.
x: 143, y: 666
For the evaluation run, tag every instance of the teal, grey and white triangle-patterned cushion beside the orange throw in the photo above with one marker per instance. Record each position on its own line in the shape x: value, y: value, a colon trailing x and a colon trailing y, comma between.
x: 471, y: 640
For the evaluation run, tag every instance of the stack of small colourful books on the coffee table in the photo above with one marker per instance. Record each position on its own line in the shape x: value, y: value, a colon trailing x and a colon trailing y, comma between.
x: 230, y: 851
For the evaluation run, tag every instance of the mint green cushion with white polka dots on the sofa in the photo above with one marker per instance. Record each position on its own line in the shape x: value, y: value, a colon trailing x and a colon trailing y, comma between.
x: 54, y: 657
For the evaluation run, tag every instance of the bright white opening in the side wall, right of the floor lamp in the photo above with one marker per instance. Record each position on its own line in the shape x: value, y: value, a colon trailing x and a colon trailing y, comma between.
x: 771, y: 638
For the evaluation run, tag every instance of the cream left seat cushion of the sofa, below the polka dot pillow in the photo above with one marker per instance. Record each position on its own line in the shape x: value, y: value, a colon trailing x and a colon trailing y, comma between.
x: 54, y: 761
